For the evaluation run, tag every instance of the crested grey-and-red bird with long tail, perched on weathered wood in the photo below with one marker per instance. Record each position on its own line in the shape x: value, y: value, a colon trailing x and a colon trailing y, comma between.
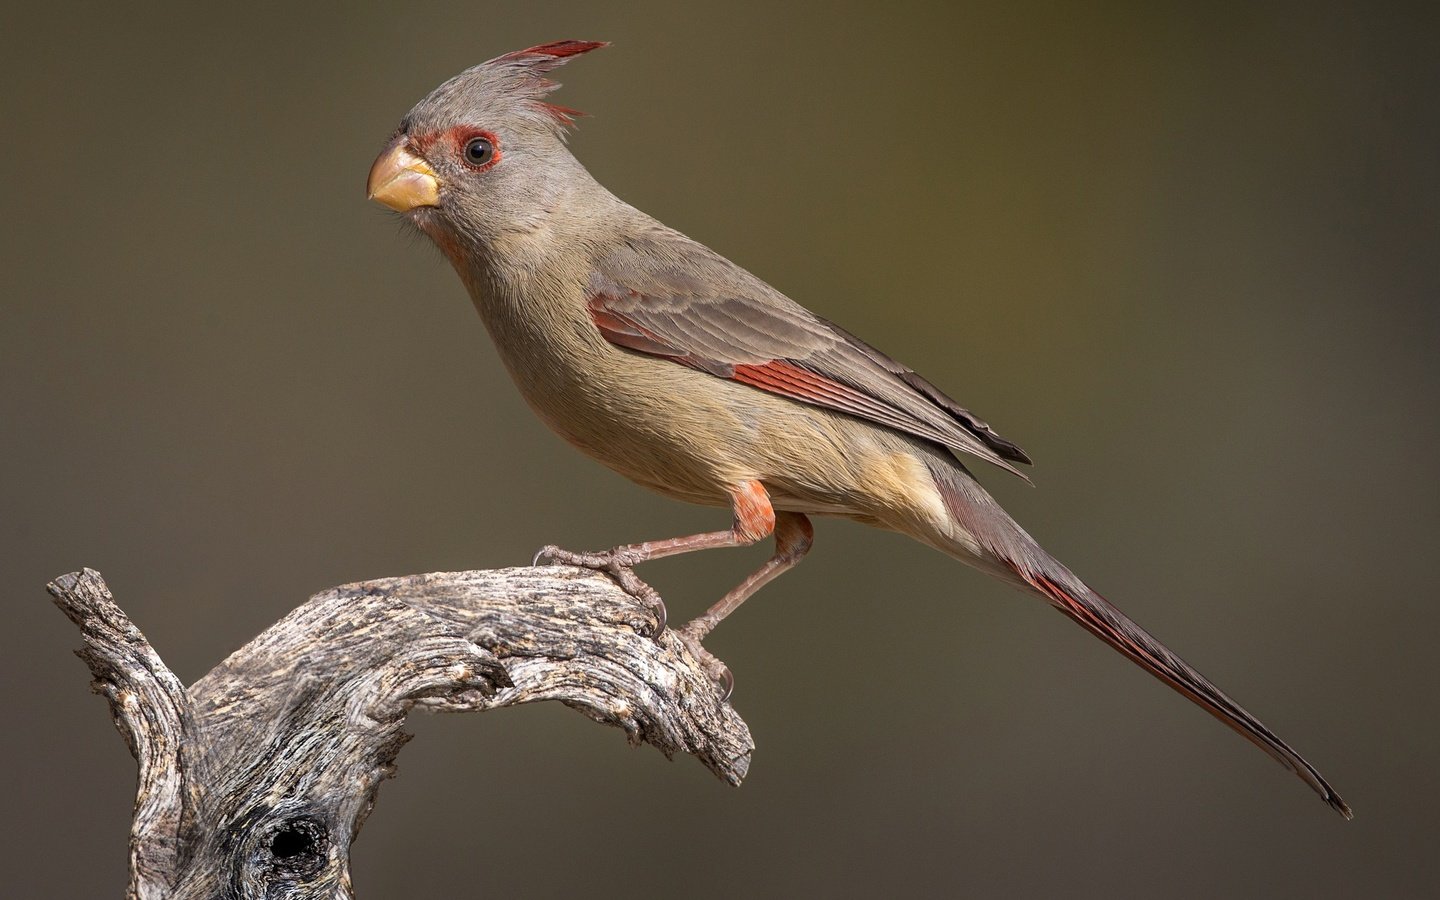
x: 686, y: 374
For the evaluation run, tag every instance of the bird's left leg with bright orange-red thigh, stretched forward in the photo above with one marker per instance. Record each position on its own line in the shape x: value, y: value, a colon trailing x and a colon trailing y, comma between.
x: 754, y: 519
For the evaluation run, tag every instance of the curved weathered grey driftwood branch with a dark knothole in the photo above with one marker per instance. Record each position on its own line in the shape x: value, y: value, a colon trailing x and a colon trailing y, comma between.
x: 256, y: 780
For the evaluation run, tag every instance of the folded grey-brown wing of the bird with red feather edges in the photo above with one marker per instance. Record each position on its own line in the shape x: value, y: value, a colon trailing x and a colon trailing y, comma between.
x: 678, y: 300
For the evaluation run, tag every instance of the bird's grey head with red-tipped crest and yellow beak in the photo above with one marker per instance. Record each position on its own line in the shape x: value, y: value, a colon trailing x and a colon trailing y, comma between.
x: 485, y: 155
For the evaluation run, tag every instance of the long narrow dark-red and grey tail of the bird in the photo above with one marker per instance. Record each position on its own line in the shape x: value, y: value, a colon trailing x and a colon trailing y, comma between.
x: 1012, y: 554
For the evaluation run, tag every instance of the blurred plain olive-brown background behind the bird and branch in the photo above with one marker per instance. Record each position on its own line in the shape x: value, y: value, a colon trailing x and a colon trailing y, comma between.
x: 1186, y: 257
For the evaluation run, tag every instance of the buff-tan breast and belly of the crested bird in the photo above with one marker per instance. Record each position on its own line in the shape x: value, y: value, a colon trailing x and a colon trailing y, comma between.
x: 692, y: 436
